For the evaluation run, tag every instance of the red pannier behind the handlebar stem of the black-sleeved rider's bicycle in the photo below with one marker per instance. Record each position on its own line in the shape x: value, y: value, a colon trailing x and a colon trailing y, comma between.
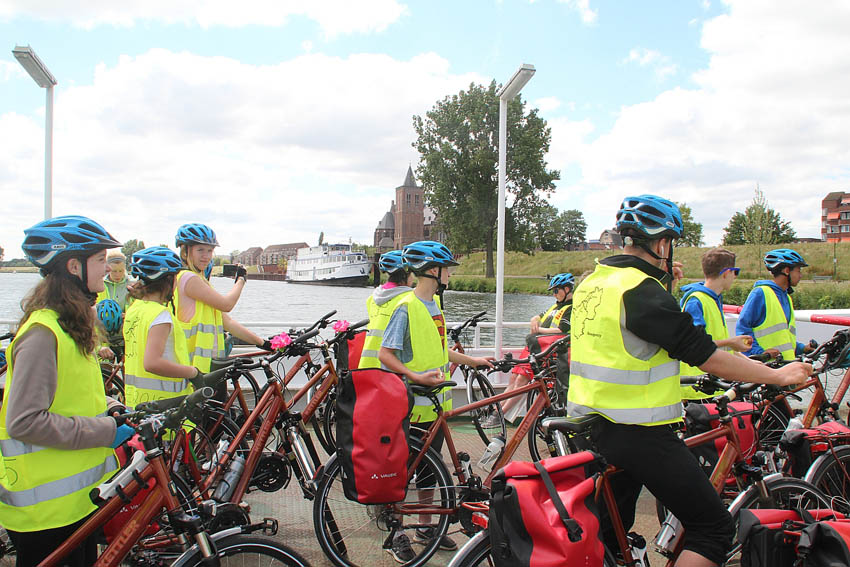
x: 700, y: 418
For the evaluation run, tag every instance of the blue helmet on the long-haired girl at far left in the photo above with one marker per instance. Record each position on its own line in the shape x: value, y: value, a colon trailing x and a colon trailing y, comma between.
x: 63, y: 237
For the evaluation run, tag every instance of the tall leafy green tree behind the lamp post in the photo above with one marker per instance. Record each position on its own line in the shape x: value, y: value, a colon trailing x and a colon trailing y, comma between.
x: 457, y: 141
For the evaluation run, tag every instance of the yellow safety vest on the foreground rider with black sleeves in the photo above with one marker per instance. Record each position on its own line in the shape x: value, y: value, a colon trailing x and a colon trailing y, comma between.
x: 605, y: 377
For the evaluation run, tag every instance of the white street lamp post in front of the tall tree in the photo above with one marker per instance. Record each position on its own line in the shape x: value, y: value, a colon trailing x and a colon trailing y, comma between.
x: 508, y: 91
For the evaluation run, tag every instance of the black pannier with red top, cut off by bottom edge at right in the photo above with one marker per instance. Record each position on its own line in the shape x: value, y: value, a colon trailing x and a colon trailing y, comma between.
x: 769, y: 537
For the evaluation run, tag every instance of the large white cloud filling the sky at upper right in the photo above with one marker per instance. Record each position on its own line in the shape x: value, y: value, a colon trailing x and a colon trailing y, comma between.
x: 769, y: 109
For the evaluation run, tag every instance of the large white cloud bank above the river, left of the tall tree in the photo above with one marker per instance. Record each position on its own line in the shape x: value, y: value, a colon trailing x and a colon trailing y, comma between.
x: 261, y: 153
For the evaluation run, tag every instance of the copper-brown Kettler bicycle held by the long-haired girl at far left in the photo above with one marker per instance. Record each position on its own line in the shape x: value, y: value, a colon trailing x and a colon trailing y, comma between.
x: 194, y: 545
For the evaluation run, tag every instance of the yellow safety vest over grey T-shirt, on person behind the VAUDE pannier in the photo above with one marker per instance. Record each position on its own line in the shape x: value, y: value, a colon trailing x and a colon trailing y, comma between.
x: 430, y: 352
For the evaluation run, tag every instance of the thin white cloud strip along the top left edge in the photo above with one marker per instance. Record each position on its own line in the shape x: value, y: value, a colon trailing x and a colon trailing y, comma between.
x: 335, y: 17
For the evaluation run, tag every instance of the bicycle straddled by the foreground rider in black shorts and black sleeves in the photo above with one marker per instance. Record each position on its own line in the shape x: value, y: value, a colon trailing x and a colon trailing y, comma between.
x: 773, y: 491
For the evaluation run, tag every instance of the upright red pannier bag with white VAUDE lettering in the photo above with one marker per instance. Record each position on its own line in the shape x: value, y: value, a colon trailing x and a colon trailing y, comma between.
x: 372, y: 431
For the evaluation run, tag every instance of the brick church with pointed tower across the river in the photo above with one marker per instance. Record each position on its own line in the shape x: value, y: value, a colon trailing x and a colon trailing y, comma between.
x: 408, y: 219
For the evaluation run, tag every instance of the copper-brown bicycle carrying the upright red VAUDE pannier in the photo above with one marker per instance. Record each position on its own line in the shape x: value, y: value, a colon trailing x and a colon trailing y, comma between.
x: 350, y: 533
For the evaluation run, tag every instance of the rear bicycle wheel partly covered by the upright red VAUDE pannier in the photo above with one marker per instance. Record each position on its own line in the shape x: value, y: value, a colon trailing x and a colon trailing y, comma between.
x: 353, y: 534
